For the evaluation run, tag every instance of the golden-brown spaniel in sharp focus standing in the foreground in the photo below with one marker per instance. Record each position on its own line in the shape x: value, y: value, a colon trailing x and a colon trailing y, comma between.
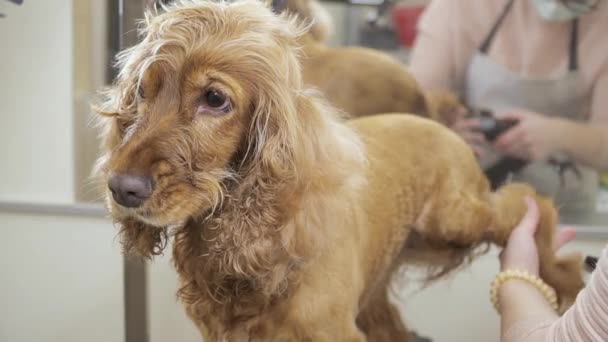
x: 287, y: 222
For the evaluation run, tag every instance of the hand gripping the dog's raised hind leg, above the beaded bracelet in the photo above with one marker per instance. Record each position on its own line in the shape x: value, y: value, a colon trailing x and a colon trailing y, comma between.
x: 521, y: 252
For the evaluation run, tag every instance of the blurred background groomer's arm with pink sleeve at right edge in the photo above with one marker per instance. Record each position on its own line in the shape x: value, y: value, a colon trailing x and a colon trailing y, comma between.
x: 588, y: 143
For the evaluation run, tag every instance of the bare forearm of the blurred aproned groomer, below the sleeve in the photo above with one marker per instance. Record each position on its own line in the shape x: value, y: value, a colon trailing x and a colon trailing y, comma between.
x: 585, y: 143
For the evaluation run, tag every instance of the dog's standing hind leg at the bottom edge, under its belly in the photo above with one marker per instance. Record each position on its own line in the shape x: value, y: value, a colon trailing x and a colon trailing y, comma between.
x: 380, y: 321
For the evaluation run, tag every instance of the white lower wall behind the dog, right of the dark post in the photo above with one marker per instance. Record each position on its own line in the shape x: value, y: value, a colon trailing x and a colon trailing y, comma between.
x: 453, y: 310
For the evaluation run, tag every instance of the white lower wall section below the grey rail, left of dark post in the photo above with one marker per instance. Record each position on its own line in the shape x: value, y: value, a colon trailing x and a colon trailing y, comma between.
x: 62, y: 280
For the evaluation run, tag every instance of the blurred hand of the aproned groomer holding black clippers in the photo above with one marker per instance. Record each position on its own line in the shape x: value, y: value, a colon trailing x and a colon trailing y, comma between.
x: 534, y: 138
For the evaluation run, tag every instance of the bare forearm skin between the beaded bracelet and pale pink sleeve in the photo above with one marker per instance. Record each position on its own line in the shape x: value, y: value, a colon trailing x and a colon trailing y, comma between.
x: 522, y: 302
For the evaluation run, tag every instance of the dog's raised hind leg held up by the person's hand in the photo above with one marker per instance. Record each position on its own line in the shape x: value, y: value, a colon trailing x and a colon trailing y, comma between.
x: 468, y: 218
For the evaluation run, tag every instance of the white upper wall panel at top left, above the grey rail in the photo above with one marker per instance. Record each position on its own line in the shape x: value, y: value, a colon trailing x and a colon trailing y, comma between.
x: 36, y: 159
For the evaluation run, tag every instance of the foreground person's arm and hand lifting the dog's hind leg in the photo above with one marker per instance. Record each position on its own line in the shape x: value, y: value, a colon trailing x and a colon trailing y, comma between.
x: 526, y: 314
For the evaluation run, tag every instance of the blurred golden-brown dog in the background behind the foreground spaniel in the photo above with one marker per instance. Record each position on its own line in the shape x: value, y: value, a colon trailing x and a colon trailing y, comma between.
x: 360, y: 81
